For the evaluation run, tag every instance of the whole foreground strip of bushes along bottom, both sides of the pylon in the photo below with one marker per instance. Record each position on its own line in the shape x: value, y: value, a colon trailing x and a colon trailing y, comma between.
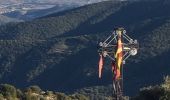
x: 9, y: 92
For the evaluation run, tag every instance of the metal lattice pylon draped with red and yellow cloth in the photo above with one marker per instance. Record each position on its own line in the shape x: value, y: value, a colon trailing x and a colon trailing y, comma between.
x: 118, y: 47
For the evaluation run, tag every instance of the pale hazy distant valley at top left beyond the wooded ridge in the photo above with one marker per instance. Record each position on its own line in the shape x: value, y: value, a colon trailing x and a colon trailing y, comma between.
x: 31, y: 9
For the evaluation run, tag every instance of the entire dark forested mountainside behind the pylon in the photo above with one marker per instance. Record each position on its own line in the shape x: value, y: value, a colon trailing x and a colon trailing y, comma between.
x: 59, y: 51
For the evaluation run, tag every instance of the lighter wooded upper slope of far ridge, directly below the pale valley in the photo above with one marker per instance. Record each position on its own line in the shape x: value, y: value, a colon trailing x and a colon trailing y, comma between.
x: 46, y: 27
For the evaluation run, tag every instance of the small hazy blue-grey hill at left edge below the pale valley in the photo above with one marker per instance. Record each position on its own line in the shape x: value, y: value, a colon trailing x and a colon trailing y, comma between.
x: 5, y: 19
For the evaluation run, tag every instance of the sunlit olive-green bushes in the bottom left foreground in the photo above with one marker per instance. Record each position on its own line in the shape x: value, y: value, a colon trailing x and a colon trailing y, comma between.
x: 9, y: 92
